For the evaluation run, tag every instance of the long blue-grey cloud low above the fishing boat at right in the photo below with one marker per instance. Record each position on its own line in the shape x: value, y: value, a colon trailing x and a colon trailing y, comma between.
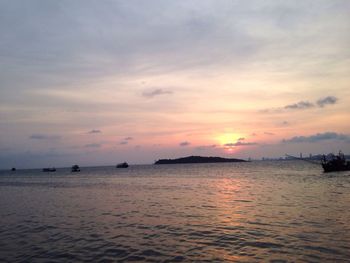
x: 318, y: 137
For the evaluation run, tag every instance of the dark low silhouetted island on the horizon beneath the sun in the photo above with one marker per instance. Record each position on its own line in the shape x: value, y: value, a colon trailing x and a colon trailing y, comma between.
x: 198, y: 159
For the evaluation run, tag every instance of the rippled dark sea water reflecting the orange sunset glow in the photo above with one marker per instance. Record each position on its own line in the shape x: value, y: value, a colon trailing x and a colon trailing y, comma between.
x: 241, y: 212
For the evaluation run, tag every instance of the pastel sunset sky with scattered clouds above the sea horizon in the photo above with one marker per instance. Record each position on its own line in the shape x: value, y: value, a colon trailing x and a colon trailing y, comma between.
x: 102, y: 82
